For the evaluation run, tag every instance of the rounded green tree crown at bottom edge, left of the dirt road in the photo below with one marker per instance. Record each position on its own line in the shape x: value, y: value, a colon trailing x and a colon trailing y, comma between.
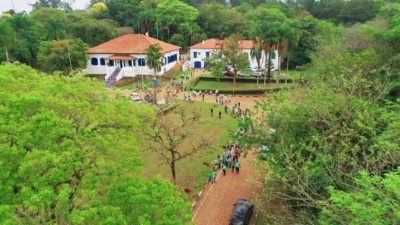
x: 155, y: 202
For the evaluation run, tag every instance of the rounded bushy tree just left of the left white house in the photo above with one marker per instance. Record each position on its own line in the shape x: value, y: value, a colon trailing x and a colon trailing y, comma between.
x: 62, y: 55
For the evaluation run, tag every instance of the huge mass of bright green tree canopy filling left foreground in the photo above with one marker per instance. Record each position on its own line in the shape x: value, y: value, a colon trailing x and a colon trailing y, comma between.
x: 70, y: 156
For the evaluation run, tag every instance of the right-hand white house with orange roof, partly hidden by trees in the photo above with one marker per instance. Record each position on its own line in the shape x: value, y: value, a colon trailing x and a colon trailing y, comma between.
x: 203, y: 50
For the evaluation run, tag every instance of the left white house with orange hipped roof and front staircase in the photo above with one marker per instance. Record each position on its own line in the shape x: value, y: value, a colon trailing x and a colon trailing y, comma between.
x: 125, y: 55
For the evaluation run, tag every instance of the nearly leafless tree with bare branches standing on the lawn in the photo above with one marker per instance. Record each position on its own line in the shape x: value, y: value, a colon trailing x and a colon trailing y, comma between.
x: 170, y: 131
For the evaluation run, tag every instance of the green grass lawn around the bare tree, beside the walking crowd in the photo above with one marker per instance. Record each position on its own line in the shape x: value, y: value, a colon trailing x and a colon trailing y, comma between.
x: 193, y: 166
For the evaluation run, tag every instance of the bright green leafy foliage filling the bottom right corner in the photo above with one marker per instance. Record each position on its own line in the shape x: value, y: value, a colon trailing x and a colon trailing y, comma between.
x: 373, y: 200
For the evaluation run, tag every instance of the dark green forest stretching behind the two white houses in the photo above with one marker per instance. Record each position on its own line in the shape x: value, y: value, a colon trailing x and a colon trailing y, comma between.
x: 53, y: 32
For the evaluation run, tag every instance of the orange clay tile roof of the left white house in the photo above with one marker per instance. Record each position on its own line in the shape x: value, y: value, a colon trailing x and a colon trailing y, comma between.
x: 131, y: 43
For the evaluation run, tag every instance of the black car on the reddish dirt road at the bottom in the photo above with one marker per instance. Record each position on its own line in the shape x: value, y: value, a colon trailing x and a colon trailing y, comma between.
x: 242, y: 213
